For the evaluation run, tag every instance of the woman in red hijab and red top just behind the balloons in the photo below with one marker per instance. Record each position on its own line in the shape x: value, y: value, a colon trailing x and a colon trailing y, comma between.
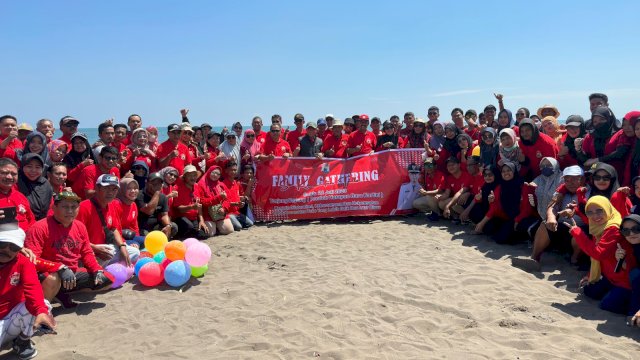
x: 127, y: 210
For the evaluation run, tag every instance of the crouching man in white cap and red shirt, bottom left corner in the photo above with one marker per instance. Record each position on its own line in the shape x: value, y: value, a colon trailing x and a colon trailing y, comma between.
x: 22, y: 304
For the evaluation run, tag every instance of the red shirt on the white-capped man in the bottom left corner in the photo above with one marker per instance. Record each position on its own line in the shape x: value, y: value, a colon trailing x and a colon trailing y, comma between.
x: 18, y: 283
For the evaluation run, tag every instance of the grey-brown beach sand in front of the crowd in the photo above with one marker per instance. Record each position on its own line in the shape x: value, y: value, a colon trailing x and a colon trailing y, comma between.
x: 353, y: 289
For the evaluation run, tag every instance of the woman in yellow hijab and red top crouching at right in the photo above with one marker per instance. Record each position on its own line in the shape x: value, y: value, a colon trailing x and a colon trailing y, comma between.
x: 603, y: 283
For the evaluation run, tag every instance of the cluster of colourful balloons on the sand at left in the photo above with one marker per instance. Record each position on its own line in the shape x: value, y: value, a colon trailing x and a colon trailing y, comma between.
x: 172, y: 261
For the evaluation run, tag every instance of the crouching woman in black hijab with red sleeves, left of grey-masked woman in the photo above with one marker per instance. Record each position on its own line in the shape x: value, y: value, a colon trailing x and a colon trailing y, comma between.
x: 510, y: 216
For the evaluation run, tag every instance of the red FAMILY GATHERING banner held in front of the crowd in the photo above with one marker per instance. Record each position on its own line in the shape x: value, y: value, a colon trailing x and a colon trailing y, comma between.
x: 383, y: 183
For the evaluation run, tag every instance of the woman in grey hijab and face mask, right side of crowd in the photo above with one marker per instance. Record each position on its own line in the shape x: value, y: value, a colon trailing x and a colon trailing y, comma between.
x: 546, y: 184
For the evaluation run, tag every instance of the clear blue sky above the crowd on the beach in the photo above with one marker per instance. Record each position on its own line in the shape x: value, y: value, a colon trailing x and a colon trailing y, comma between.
x: 230, y: 61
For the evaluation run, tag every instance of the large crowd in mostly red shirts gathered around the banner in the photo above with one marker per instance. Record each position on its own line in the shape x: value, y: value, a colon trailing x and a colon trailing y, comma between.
x: 69, y: 208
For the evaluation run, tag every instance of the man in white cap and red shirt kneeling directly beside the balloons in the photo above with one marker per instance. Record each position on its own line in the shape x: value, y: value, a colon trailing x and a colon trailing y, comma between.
x: 100, y: 216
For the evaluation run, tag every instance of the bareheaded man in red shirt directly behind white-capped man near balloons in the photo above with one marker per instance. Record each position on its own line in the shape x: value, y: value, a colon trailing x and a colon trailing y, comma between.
x: 84, y: 185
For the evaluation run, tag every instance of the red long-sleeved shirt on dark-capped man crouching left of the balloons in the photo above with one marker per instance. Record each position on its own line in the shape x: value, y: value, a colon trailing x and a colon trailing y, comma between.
x: 49, y: 240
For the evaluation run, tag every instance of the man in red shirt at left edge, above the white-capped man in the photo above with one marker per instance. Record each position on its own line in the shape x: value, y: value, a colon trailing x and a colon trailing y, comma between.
x: 11, y: 198
